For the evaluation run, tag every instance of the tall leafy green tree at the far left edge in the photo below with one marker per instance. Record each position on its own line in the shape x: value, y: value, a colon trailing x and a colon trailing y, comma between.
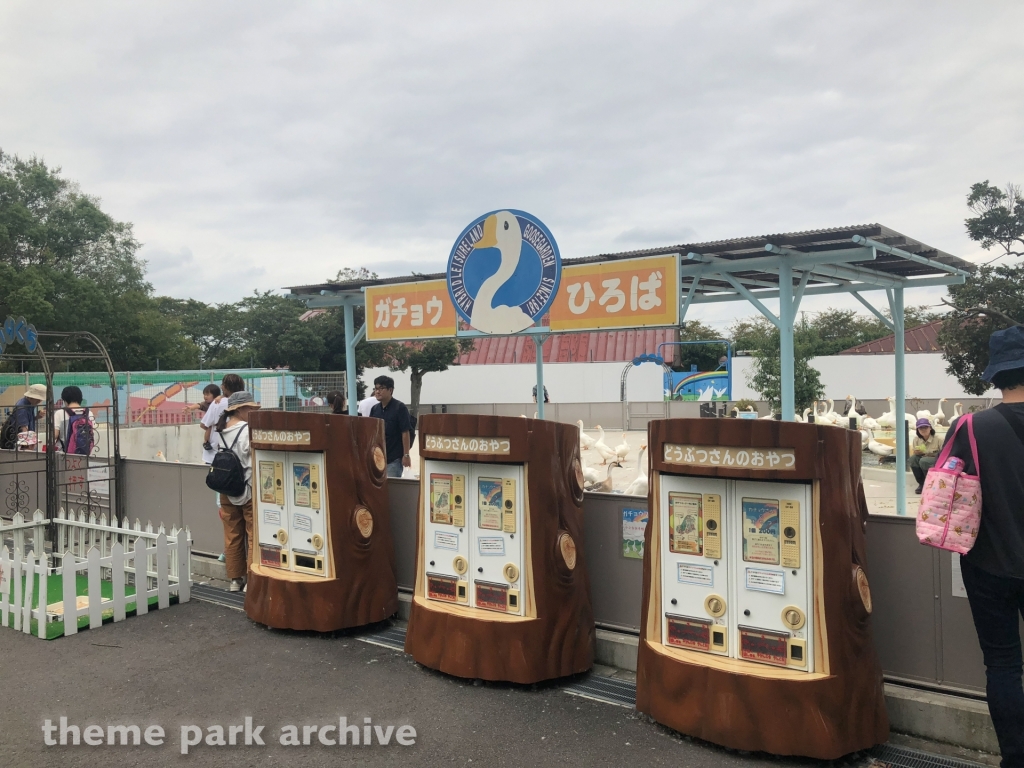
x: 68, y: 266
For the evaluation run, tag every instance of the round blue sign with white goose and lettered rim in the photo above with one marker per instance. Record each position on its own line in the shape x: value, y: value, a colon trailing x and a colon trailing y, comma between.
x: 503, y: 272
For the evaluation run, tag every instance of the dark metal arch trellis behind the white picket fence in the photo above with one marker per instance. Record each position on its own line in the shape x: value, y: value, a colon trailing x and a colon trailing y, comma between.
x: 55, y: 348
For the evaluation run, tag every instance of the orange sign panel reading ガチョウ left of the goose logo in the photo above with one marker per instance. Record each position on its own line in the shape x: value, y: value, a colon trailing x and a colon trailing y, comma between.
x: 410, y: 311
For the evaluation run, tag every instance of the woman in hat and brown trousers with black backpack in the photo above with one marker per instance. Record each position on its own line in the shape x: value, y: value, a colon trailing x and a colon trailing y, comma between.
x: 237, y: 511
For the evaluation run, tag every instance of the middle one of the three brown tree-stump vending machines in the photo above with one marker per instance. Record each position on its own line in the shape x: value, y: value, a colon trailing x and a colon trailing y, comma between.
x: 502, y: 591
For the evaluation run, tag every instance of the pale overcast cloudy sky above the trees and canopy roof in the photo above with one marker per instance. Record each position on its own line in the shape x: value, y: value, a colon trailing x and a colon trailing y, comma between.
x: 258, y: 146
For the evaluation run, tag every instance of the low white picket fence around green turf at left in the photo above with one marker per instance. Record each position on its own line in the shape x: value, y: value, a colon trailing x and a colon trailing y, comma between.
x: 159, y: 566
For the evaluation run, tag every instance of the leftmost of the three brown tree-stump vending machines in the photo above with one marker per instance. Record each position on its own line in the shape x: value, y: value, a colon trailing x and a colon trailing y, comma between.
x: 323, y: 558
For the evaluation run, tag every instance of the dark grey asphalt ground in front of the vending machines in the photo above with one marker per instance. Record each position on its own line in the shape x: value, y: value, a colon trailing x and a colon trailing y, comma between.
x: 204, y: 665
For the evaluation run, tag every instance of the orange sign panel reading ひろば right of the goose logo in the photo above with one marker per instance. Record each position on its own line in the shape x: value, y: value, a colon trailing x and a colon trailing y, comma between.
x: 631, y: 293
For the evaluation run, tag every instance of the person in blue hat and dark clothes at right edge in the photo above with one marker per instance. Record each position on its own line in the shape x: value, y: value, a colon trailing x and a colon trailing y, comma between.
x: 994, y: 570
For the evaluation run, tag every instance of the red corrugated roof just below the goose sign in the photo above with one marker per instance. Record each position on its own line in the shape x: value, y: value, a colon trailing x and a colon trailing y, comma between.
x: 598, y: 347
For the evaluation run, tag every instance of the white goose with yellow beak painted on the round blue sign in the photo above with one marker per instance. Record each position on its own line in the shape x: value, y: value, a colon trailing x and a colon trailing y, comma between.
x: 501, y: 230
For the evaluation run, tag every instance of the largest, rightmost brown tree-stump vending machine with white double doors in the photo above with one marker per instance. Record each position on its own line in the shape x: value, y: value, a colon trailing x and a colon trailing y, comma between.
x: 755, y: 631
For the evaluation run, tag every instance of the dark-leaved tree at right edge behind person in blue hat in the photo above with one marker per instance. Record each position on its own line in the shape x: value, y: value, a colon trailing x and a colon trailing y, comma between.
x: 993, y: 298
